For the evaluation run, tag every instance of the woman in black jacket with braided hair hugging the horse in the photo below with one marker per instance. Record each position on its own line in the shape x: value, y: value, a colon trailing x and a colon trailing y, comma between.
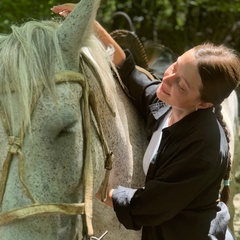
x: 188, y: 153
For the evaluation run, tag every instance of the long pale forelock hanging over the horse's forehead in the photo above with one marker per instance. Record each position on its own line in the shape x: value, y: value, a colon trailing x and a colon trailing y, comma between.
x: 28, y: 59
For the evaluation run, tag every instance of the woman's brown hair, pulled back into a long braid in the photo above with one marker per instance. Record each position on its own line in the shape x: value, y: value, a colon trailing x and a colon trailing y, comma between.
x: 219, y: 69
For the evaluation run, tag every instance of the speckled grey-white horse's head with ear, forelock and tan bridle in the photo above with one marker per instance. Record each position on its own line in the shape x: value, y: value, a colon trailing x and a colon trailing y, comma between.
x: 44, y: 117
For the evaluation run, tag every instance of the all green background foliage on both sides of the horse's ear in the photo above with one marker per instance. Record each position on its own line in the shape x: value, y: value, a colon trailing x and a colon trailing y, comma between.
x: 178, y: 24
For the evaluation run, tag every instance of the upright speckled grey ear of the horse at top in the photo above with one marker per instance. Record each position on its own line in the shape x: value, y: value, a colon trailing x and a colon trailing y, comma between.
x: 74, y: 31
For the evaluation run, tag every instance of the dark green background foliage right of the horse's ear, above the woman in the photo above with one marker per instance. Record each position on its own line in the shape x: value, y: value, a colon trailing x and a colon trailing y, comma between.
x: 179, y: 24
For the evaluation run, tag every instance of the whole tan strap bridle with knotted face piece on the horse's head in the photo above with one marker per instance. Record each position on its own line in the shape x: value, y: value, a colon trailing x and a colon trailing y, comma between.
x: 15, y: 144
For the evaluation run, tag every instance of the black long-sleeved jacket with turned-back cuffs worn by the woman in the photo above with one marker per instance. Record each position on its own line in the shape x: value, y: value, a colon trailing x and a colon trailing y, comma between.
x: 179, y: 200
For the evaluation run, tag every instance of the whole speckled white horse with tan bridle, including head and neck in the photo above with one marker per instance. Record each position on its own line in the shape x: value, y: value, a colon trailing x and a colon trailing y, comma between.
x: 51, y: 141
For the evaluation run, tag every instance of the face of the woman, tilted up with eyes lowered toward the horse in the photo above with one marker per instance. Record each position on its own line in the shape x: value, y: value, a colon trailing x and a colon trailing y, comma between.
x: 181, y: 83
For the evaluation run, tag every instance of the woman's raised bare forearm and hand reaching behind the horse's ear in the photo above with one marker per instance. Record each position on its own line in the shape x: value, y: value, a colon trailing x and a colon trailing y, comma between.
x: 119, y: 55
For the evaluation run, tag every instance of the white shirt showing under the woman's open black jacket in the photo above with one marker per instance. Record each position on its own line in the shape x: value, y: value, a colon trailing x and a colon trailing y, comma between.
x: 154, y: 144
